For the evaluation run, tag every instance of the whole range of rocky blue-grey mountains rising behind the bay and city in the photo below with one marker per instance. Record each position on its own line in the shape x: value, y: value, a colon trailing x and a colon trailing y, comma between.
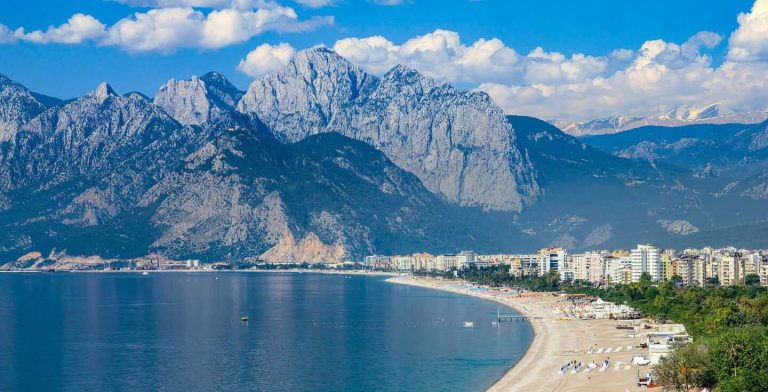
x: 322, y: 161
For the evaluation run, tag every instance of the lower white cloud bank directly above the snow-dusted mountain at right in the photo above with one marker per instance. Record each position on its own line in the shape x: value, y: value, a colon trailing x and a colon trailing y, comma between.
x: 661, y: 77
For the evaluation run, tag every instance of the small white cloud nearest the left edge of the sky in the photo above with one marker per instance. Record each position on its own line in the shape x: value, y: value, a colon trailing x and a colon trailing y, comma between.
x: 77, y: 29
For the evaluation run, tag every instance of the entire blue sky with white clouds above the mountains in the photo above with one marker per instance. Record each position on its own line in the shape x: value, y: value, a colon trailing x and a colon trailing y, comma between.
x: 558, y: 59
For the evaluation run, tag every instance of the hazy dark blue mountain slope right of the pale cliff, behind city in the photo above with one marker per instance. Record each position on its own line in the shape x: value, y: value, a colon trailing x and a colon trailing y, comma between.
x: 594, y: 199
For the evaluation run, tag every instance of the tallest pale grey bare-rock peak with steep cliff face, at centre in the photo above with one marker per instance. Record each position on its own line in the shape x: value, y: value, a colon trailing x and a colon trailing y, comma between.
x: 456, y: 142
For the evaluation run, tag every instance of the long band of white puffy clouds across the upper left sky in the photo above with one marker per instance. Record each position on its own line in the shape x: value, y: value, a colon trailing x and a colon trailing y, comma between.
x: 168, y: 29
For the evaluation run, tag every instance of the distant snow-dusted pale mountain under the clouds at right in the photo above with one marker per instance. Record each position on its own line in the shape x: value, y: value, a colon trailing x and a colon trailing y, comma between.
x: 680, y: 116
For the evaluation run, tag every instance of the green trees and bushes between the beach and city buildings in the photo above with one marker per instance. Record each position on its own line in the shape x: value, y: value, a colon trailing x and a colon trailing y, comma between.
x: 729, y: 325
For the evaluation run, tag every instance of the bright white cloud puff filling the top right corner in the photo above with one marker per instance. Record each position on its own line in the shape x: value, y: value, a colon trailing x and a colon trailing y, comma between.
x: 750, y: 41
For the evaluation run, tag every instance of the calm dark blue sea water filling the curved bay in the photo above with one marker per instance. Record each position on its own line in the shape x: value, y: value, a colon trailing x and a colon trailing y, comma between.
x: 306, y: 332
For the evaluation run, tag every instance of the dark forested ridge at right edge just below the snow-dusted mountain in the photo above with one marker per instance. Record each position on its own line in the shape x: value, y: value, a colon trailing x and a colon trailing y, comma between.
x: 730, y: 150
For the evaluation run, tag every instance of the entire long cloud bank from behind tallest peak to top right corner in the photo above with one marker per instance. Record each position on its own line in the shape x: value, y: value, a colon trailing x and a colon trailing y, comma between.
x: 654, y: 78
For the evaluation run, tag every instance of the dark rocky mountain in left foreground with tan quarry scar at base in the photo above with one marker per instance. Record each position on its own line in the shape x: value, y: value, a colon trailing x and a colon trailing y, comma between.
x: 116, y: 176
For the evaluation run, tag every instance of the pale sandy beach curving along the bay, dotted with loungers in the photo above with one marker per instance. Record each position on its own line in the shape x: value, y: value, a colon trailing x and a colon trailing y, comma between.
x: 558, y: 341
